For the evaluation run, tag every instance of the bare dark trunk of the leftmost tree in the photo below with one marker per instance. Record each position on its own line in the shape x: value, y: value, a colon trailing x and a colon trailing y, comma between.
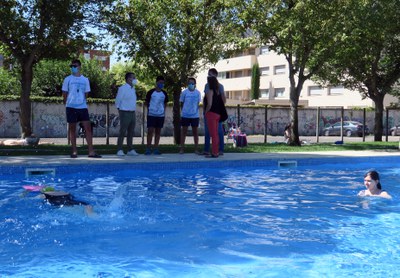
x: 25, y: 101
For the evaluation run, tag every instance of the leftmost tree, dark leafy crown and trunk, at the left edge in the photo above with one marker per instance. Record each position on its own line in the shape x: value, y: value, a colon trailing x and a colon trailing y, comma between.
x: 32, y: 30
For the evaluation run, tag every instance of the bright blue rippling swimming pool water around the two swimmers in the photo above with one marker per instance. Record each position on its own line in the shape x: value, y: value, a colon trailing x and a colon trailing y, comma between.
x: 204, y: 220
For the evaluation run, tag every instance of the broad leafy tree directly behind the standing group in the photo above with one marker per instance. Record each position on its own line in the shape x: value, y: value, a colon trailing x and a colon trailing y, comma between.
x: 173, y: 38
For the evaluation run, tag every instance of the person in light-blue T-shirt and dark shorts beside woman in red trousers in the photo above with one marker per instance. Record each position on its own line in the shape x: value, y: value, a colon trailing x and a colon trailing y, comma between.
x: 190, y: 99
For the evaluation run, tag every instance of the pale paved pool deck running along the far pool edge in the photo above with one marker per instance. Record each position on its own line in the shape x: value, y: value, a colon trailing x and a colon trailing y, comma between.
x: 183, y: 158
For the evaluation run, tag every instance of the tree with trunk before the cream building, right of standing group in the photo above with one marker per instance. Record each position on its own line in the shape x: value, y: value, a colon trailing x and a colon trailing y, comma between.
x: 302, y: 31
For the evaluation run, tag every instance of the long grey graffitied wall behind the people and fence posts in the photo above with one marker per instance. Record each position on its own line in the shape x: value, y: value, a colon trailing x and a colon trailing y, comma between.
x: 48, y: 120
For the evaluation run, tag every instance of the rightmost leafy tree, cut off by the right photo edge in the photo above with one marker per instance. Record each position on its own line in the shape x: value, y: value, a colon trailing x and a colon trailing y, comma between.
x: 367, y: 56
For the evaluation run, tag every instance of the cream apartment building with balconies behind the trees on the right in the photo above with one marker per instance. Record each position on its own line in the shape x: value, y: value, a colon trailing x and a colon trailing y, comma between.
x: 235, y: 75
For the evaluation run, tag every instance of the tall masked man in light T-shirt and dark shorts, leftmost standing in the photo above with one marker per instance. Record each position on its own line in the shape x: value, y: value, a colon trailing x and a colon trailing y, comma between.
x: 75, y: 89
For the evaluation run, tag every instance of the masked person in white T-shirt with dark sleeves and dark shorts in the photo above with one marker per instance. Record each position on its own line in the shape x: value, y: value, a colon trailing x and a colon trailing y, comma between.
x: 156, y: 102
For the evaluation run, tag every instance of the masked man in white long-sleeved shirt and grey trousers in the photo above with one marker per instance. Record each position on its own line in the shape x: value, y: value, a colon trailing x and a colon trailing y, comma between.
x: 126, y: 105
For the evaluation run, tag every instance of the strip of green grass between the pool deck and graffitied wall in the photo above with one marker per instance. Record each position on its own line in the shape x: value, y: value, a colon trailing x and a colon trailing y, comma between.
x: 251, y: 148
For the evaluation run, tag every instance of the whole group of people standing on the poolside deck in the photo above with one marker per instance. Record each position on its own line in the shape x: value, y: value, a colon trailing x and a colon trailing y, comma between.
x: 76, y: 88
